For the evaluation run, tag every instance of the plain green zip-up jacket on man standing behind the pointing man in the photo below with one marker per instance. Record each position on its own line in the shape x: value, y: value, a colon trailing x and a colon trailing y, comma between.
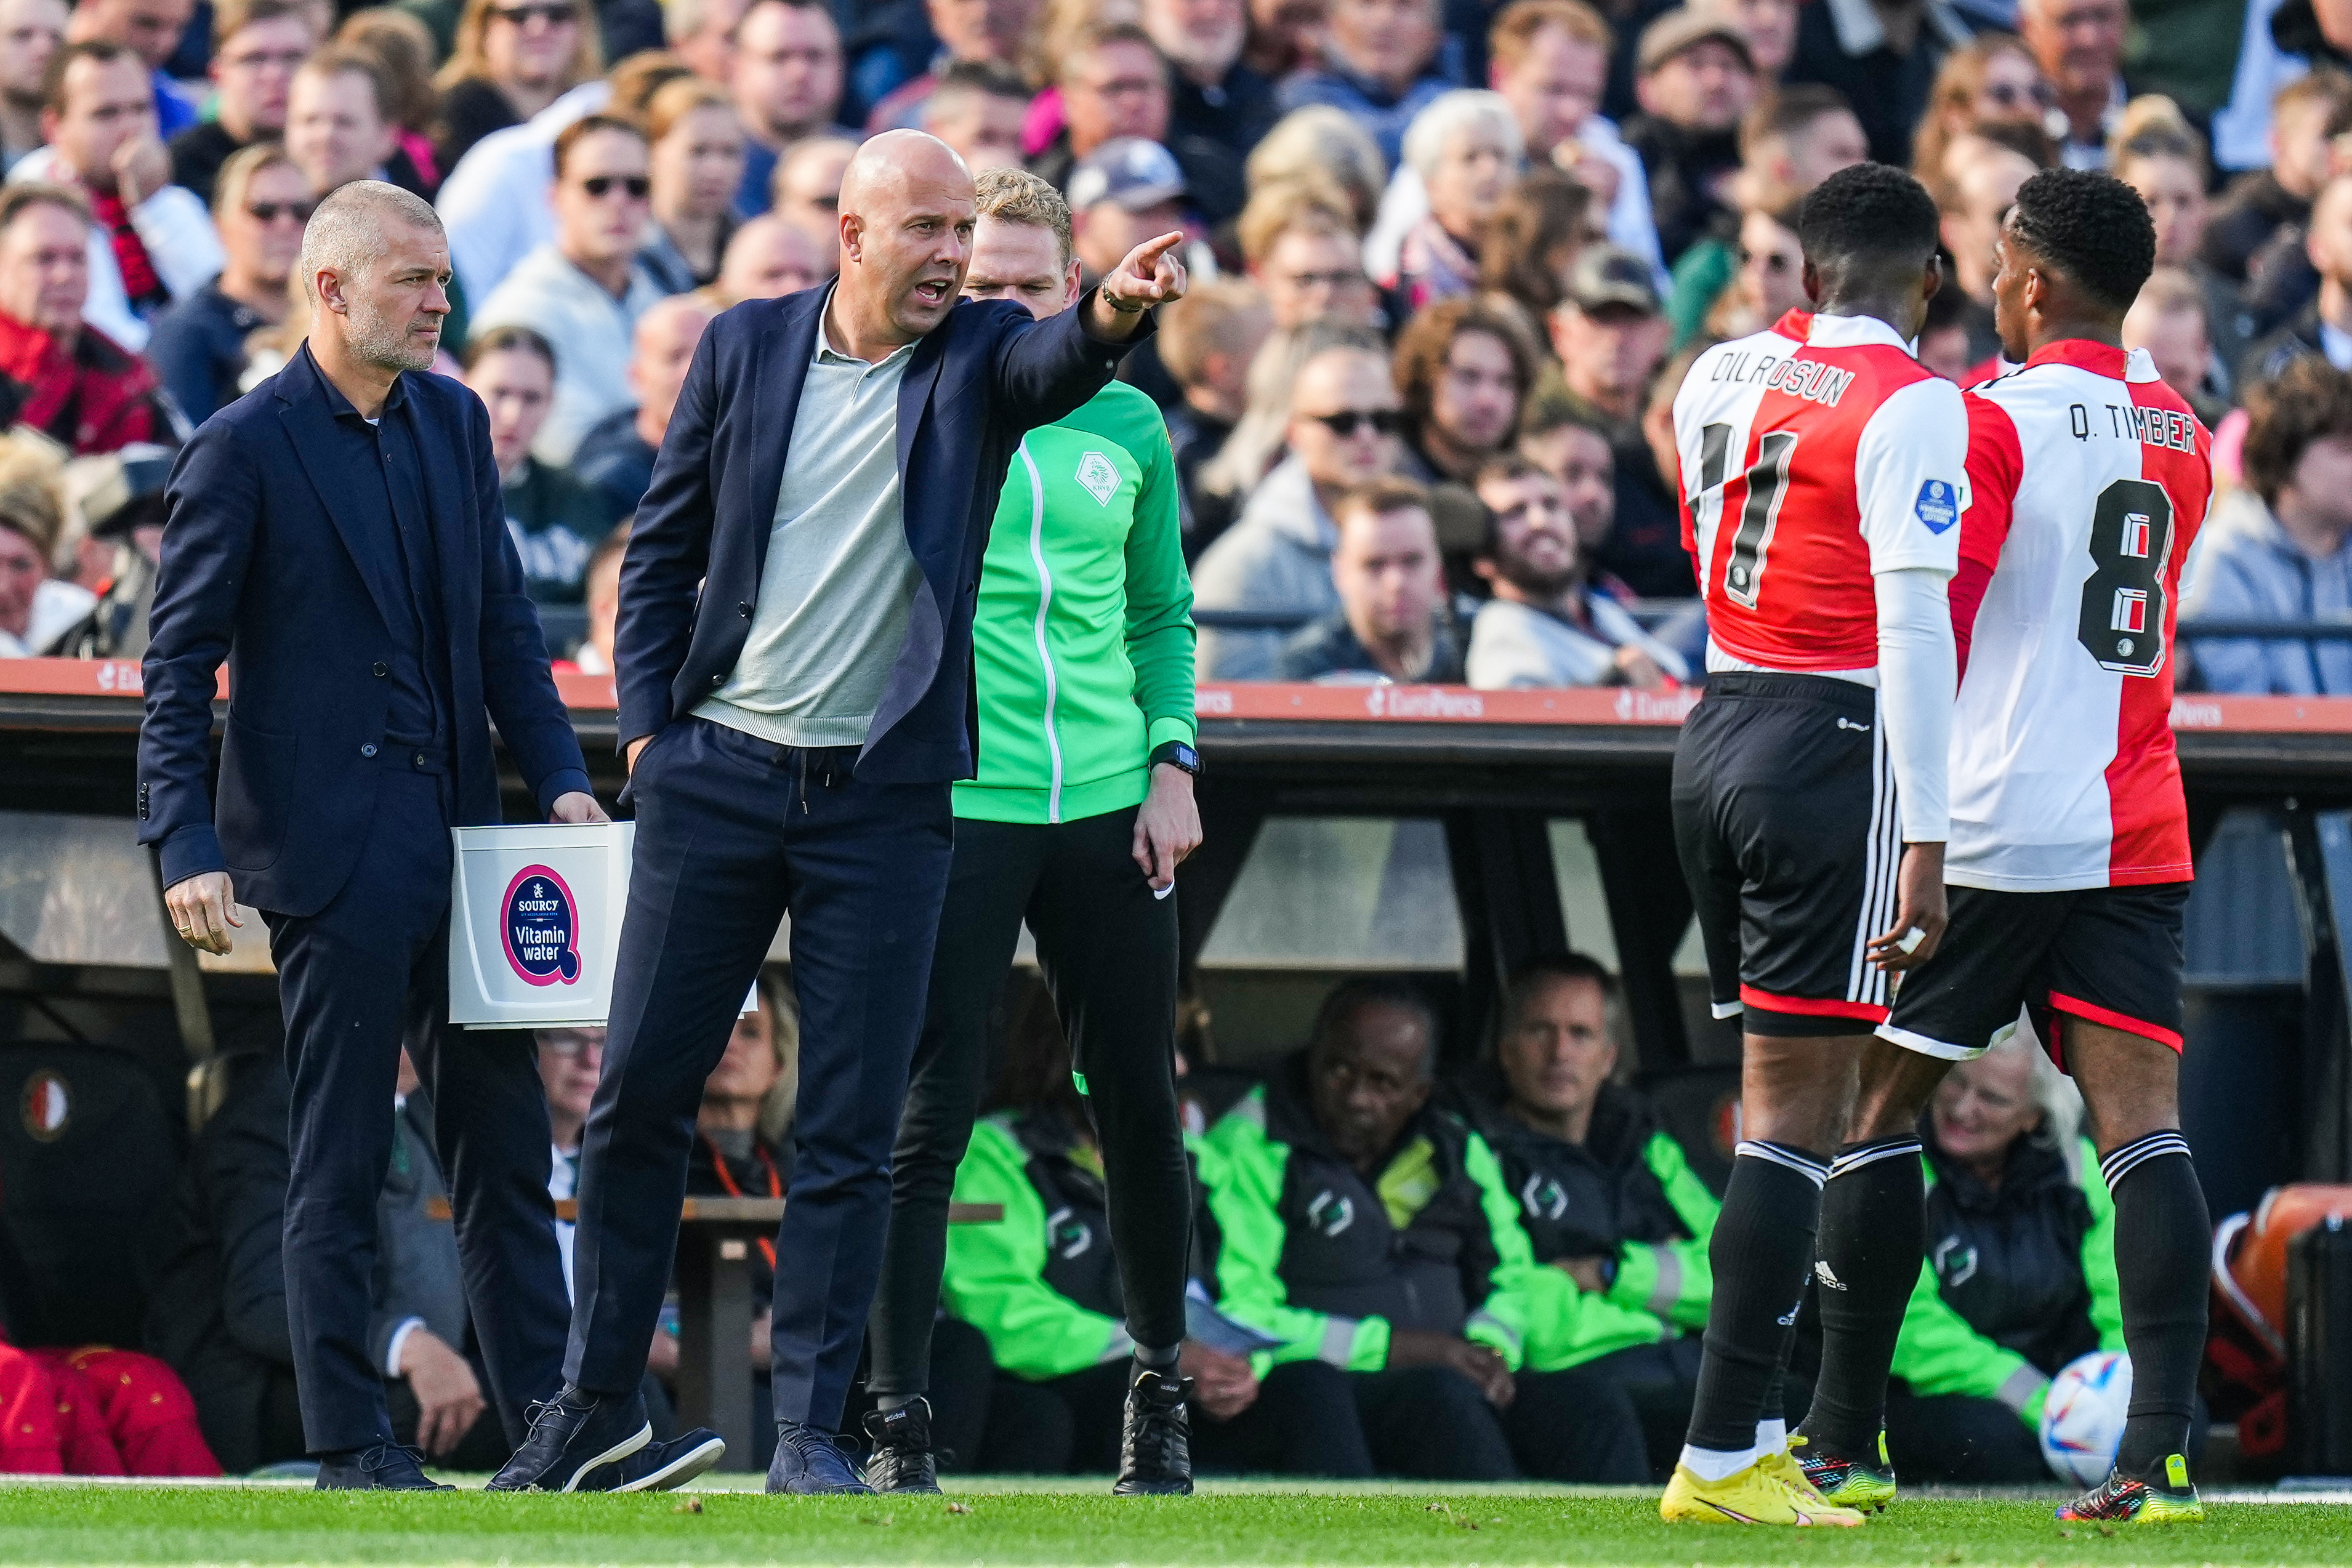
x: 1083, y: 636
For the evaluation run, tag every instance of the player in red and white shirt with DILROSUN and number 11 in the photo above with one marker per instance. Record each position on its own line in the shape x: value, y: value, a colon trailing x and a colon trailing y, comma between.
x: 1824, y: 478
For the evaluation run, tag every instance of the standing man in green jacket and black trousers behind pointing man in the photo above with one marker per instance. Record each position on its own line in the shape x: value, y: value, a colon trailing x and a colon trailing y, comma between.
x: 1083, y: 808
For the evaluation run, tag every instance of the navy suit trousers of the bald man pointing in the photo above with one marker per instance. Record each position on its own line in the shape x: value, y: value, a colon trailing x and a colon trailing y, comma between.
x: 730, y: 836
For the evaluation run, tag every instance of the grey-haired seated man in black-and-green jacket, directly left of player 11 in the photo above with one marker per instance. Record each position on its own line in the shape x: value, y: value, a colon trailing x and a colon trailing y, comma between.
x: 1605, y: 1200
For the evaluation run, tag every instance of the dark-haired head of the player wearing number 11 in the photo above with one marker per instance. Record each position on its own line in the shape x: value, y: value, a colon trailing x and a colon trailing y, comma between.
x: 1871, y: 239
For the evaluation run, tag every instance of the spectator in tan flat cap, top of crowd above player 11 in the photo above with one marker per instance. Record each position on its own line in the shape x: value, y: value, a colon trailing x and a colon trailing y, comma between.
x: 1695, y: 81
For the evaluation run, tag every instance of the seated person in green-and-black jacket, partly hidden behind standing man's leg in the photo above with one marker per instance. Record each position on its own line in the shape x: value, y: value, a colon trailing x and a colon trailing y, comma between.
x: 1043, y: 1287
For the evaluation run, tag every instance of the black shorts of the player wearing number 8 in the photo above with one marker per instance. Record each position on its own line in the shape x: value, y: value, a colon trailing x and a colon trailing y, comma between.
x: 2104, y: 956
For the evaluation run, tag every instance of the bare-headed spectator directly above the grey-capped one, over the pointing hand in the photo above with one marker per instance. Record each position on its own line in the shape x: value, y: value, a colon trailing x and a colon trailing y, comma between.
x: 1114, y: 88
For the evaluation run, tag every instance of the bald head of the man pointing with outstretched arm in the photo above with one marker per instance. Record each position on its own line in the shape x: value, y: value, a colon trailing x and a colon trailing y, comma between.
x: 907, y: 222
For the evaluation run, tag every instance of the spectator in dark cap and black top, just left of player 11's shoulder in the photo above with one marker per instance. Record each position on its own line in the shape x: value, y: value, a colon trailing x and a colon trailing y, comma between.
x: 1610, y: 335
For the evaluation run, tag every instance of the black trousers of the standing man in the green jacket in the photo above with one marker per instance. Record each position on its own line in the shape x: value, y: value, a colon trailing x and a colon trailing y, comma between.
x: 1109, y: 956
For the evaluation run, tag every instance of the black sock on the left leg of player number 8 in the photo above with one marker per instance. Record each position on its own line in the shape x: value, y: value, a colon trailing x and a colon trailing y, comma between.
x: 1873, y: 1231
